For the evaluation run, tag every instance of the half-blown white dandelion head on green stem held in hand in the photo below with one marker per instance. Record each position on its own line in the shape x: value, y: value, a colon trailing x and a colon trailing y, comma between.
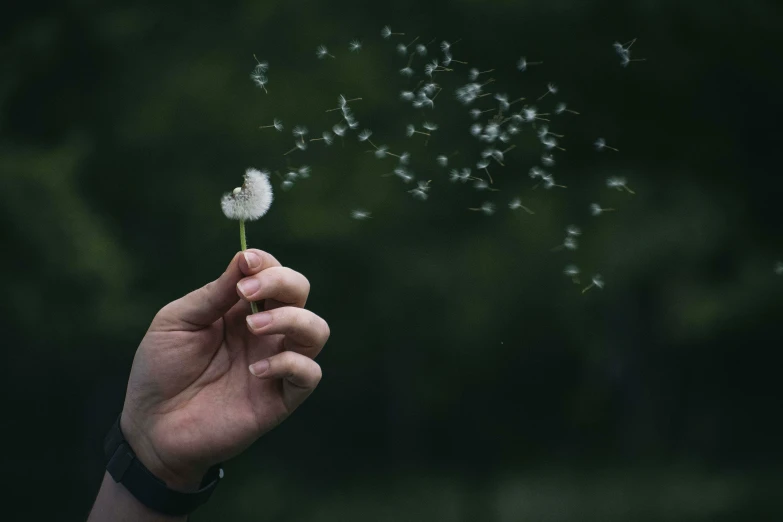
x: 248, y: 203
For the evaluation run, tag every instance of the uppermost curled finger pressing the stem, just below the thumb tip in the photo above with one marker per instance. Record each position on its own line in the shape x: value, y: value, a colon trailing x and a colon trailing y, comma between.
x: 277, y: 283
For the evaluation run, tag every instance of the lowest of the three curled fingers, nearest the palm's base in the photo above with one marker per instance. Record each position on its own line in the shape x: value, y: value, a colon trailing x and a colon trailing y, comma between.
x: 300, y: 375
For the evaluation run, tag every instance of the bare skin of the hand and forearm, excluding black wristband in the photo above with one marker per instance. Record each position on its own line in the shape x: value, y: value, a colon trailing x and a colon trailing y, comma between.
x: 208, y: 379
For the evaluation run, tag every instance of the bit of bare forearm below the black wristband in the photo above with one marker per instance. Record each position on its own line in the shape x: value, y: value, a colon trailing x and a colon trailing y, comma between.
x: 116, y: 504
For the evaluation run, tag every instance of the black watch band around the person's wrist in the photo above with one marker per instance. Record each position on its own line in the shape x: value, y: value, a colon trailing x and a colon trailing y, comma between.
x: 125, y: 468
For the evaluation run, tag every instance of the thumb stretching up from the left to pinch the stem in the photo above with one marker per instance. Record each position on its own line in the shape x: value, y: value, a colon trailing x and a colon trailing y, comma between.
x: 206, y: 305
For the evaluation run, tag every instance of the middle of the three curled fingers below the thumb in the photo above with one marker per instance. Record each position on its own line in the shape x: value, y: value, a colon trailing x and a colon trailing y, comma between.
x: 304, y: 331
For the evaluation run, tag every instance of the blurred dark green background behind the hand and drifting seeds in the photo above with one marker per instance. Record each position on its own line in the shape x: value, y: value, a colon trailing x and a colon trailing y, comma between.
x: 467, y: 379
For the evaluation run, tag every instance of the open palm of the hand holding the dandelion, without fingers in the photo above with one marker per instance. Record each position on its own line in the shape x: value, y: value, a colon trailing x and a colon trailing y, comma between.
x: 206, y: 404
